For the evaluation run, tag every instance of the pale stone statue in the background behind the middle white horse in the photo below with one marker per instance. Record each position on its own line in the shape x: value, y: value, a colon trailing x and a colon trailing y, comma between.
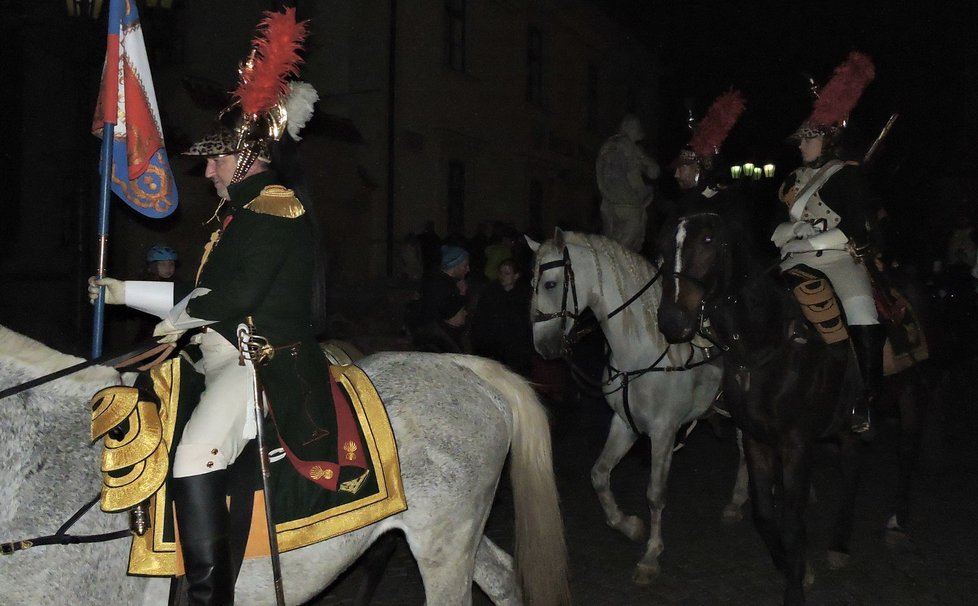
x: 624, y: 173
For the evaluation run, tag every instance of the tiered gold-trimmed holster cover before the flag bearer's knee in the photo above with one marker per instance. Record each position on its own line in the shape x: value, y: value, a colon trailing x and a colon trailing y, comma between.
x: 134, y: 465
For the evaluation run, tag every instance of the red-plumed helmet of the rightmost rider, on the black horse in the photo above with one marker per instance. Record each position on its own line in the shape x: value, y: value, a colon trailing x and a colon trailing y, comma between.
x: 835, y: 100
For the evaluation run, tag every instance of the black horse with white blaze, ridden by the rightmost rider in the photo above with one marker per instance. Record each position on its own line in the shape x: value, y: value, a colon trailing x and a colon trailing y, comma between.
x: 784, y: 387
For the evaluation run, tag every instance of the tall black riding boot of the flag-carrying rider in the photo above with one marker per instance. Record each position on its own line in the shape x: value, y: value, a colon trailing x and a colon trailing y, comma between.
x: 202, y: 520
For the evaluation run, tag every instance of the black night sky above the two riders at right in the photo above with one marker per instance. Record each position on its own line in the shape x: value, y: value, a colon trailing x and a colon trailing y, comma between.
x: 925, y: 57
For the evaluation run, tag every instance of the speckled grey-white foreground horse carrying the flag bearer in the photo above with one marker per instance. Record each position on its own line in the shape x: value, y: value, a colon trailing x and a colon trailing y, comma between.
x: 454, y: 417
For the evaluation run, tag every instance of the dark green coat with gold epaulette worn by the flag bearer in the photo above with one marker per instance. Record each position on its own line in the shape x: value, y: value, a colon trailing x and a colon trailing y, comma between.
x: 262, y: 267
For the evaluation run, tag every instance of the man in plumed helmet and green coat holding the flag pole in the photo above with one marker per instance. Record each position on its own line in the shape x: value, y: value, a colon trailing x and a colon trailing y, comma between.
x: 258, y: 266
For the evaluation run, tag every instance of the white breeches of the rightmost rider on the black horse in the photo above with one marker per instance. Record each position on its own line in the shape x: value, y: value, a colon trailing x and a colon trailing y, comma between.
x: 849, y: 279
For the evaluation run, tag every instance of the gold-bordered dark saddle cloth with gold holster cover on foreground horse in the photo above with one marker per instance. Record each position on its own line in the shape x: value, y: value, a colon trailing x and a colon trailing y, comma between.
x: 139, y: 426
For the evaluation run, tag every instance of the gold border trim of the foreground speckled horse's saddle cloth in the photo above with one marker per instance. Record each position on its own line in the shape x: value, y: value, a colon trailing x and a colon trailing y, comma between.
x: 152, y: 556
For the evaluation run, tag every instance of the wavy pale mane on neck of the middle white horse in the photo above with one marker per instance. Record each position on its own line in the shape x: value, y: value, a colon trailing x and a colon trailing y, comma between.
x: 630, y: 271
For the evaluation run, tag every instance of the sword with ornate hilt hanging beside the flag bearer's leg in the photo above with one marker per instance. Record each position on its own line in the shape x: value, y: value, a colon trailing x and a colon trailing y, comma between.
x: 257, y: 350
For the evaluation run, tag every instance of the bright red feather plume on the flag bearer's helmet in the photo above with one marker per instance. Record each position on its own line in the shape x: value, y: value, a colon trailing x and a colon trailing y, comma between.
x: 275, y: 58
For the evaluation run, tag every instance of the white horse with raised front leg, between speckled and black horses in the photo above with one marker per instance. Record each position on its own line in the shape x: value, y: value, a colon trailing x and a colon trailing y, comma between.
x: 653, y: 388
